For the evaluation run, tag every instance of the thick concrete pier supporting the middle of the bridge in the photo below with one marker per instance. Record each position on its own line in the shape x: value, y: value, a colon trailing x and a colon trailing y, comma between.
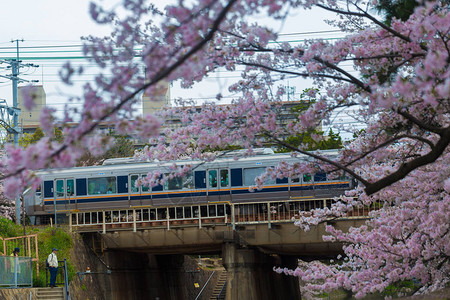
x: 250, y: 275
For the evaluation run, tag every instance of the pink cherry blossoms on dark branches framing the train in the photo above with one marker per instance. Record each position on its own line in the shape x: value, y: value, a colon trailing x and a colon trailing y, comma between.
x: 399, y: 88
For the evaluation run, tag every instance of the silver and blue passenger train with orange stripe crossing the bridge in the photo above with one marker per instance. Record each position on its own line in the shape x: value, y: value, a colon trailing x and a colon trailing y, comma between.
x: 114, y: 185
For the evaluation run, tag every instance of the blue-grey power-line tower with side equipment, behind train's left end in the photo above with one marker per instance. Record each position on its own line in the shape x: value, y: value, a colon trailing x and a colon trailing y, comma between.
x: 6, y: 112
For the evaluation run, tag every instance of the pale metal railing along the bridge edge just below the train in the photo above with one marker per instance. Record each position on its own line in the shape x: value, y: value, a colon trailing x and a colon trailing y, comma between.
x: 201, y: 215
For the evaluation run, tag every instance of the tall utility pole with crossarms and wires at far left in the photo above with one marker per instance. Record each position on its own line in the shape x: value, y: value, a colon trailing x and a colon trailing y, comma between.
x: 15, y: 65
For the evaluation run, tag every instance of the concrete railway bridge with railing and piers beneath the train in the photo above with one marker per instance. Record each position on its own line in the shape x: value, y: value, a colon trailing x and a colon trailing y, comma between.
x: 251, y: 238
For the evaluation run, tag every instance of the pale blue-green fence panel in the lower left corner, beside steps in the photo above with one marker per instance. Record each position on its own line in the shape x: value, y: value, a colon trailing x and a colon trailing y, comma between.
x: 16, y: 271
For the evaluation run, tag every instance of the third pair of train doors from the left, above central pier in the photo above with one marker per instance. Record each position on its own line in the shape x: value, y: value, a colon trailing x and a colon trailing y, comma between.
x: 218, y: 185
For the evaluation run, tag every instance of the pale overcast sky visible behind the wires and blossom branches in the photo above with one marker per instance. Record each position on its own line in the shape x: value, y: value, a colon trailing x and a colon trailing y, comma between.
x: 62, y: 23
